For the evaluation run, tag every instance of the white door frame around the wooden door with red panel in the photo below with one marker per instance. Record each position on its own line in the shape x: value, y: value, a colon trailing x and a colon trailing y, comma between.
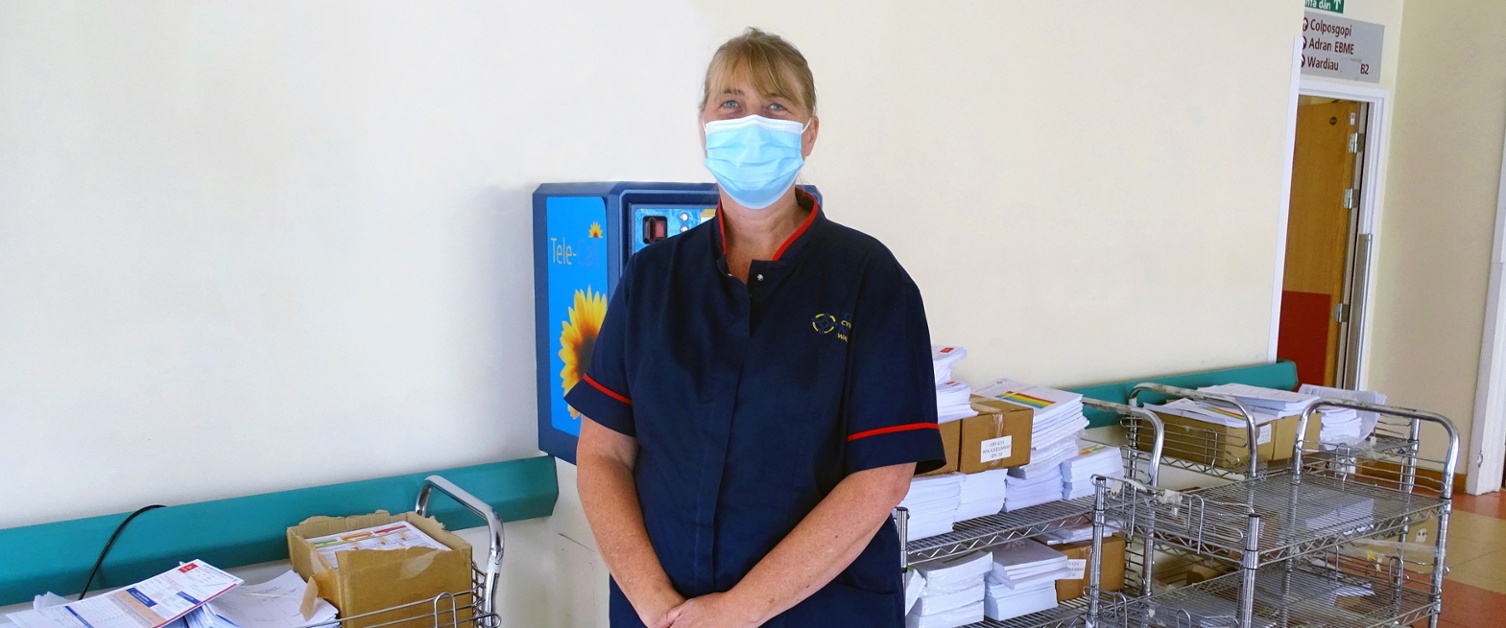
x: 1370, y: 212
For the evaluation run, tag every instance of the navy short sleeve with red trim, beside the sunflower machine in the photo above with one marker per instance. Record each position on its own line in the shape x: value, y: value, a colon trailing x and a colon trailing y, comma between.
x: 603, y: 392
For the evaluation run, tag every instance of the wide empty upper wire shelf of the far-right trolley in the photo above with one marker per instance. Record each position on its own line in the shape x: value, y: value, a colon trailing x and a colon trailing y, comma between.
x: 1296, y: 519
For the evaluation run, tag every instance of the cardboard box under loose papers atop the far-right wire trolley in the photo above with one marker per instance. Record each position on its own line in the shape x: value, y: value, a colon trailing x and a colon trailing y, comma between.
x: 1227, y: 447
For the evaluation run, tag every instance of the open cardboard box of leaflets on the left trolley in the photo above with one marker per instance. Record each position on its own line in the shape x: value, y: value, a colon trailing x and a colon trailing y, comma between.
x: 373, y: 581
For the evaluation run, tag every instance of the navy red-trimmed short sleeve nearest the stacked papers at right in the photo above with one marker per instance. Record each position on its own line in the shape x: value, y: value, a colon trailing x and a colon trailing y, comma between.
x: 891, y: 385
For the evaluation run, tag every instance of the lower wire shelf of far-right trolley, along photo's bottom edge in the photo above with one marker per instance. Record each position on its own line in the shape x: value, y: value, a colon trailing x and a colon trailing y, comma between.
x: 1385, y: 606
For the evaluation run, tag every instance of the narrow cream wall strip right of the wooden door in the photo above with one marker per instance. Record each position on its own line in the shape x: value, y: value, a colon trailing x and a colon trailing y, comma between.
x: 1440, y: 212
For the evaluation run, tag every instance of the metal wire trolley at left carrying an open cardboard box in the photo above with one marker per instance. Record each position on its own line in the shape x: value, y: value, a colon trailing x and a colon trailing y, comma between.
x: 474, y: 608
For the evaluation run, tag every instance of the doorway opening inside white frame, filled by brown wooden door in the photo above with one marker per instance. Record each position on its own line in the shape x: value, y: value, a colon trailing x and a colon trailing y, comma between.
x: 1328, y: 248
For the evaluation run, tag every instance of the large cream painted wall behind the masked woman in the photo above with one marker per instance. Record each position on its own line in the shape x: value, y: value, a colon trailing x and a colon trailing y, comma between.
x: 290, y: 242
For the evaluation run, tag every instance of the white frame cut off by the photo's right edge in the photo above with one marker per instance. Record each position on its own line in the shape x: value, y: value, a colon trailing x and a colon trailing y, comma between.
x: 1487, y: 454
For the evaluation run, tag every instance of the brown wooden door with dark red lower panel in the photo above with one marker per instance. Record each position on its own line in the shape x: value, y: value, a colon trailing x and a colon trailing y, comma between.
x: 1319, y: 237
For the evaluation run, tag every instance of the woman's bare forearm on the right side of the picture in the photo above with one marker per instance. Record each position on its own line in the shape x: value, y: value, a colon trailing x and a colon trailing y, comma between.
x: 825, y: 543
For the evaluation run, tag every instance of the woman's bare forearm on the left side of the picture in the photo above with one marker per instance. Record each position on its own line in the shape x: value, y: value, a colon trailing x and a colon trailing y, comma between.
x: 611, y: 499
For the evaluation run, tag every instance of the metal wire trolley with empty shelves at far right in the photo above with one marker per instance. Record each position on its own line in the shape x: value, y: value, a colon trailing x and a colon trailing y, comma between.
x: 1322, y: 543
